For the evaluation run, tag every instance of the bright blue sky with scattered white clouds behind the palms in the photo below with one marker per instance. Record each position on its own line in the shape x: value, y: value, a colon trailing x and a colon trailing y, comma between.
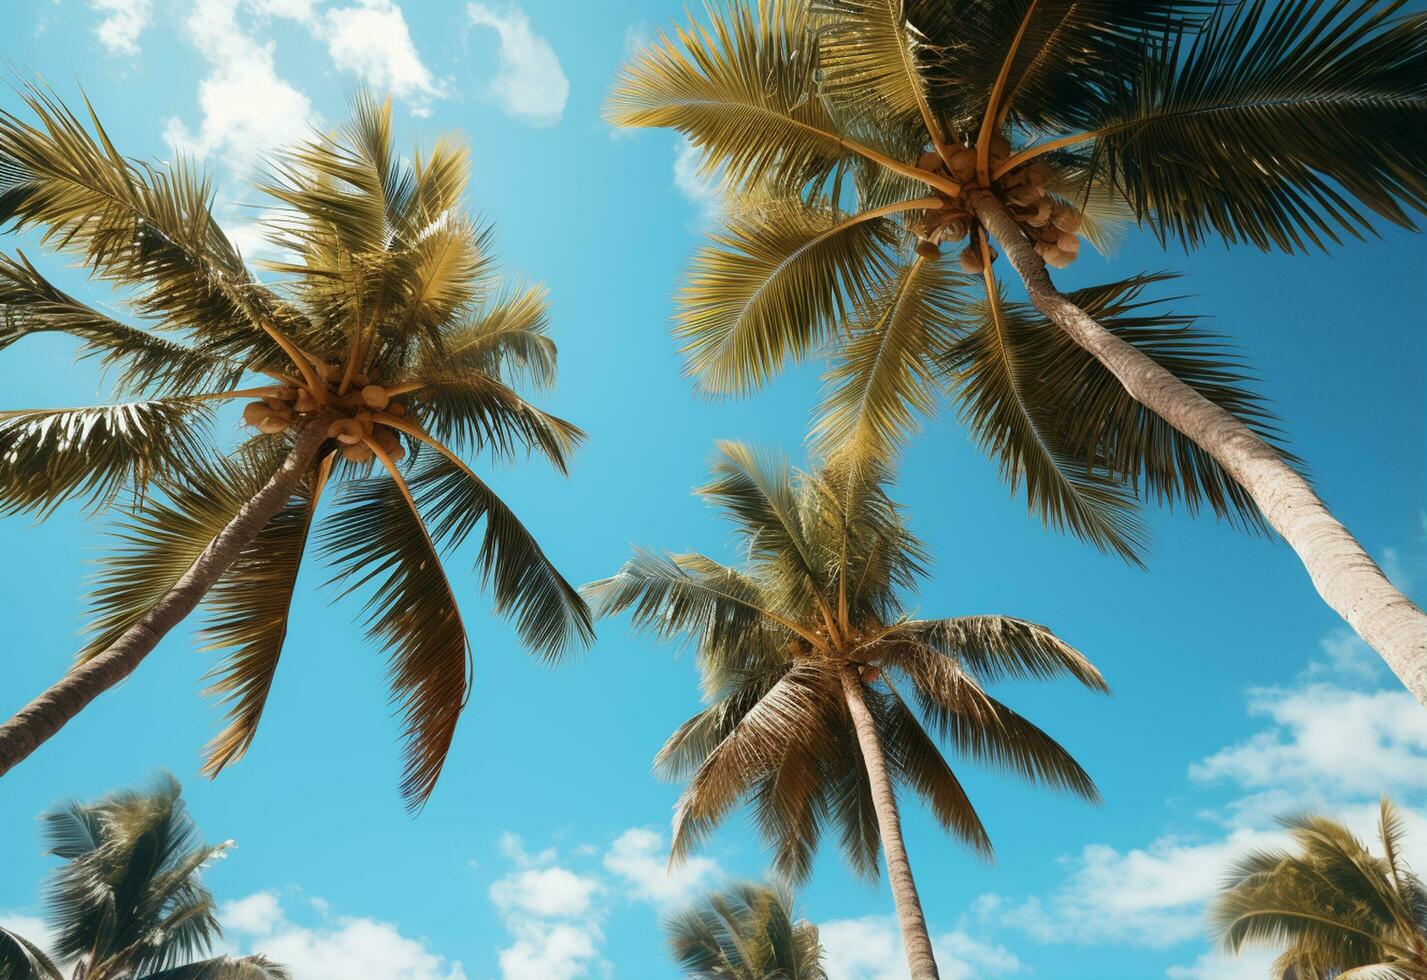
x: 1238, y: 695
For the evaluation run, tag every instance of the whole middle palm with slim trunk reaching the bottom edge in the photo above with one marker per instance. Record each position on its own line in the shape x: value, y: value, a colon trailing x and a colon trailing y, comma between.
x: 798, y: 653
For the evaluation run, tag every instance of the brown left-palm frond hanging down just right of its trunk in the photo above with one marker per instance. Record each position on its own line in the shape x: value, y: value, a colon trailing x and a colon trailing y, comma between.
x: 248, y: 620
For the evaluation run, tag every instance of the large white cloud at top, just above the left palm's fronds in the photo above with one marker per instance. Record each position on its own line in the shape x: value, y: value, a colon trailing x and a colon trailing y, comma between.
x: 248, y: 108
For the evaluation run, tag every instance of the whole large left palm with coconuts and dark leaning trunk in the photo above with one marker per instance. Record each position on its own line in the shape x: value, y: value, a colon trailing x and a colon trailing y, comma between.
x: 387, y: 332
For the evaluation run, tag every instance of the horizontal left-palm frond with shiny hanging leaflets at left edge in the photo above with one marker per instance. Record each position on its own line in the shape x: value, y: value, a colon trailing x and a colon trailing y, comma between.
x: 54, y: 456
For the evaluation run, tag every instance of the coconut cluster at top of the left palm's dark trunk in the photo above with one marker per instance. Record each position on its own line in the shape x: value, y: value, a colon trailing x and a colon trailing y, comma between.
x: 289, y: 406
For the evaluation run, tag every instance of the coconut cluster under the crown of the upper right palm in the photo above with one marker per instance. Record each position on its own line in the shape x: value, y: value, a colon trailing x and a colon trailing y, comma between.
x: 1051, y: 226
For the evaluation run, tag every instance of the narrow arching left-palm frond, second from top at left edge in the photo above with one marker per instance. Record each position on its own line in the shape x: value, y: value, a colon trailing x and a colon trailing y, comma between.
x: 31, y: 306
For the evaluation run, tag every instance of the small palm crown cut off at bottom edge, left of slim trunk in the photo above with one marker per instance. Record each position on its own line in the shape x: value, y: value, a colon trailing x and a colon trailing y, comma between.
x: 746, y: 932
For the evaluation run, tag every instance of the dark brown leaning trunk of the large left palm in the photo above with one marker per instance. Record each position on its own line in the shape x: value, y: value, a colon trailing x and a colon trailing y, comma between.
x: 54, y: 710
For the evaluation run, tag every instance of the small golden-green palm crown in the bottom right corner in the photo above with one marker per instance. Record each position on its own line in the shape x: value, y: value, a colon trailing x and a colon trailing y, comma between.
x: 1338, y: 909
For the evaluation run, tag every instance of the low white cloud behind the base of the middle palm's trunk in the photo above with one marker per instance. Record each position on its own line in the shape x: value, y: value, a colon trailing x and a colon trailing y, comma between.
x: 871, y: 949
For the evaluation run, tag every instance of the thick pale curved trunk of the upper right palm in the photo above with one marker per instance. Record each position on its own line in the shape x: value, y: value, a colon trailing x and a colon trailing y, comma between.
x: 1344, y: 574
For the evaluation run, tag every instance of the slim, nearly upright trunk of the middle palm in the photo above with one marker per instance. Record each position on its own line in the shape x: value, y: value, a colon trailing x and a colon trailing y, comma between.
x: 915, y: 939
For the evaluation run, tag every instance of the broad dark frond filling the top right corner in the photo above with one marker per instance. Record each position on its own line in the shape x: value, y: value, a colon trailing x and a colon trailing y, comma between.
x: 1221, y: 133
